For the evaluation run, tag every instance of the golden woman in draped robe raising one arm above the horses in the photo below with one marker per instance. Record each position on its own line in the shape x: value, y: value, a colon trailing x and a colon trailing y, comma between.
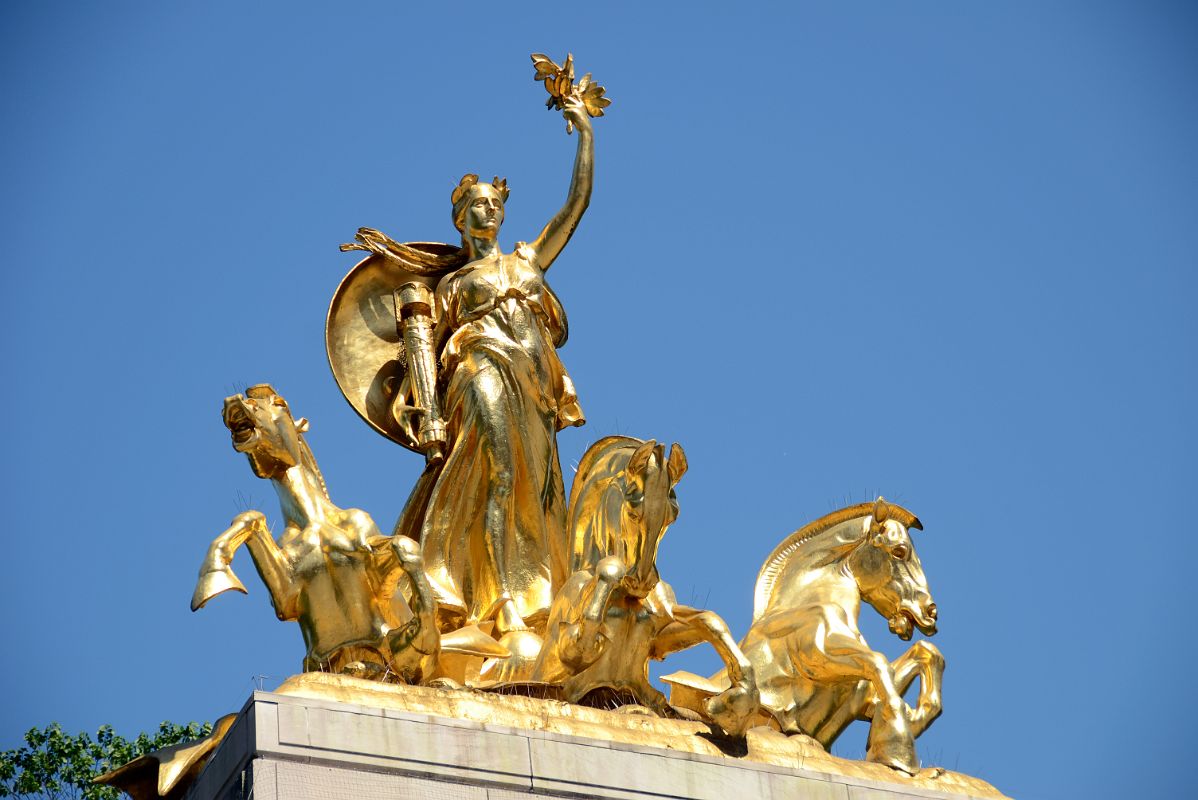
x: 492, y: 512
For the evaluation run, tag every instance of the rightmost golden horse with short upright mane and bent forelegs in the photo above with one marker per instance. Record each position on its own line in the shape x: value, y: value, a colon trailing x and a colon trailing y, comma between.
x: 814, y: 669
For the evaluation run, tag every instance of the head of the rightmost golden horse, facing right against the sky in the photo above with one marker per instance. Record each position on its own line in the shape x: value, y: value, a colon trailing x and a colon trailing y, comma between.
x: 888, y: 572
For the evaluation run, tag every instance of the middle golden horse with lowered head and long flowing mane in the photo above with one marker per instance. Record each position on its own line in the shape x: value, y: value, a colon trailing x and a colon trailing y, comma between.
x: 612, y: 613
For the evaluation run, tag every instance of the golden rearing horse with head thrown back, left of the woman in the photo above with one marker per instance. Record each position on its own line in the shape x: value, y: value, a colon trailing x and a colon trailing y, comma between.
x: 332, y: 571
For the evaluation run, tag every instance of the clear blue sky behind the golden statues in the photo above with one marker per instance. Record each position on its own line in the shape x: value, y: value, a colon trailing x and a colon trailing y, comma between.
x: 942, y: 252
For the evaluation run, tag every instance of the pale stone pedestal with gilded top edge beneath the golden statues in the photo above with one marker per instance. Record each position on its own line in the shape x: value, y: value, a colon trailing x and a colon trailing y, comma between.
x: 329, y: 738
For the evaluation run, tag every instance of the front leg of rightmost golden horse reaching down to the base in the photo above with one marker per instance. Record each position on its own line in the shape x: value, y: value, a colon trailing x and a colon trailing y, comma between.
x: 891, y: 742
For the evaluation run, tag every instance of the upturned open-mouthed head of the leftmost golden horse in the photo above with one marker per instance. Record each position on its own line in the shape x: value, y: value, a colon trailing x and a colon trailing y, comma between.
x: 263, y: 428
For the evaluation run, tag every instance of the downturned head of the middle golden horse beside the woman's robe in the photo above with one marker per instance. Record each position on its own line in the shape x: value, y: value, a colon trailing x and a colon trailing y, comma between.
x: 650, y: 508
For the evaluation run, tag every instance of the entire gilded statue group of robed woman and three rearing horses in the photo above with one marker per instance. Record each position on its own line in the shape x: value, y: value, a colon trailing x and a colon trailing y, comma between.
x: 492, y: 581
